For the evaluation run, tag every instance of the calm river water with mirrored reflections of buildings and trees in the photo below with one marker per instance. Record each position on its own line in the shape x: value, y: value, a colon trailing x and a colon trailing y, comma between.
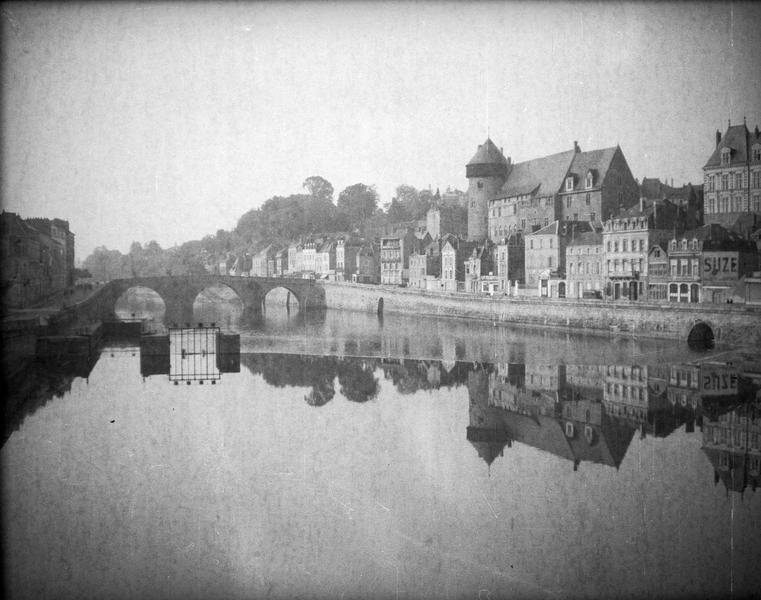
x: 343, y: 456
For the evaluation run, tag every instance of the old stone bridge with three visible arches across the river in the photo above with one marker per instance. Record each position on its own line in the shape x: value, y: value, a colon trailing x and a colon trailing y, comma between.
x: 179, y: 294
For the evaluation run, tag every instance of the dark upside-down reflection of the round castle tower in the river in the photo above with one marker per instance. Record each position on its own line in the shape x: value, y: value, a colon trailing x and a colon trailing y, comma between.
x: 487, y: 431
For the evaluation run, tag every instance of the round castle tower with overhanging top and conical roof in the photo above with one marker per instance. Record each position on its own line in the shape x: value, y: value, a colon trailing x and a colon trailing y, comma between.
x: 486, y: 173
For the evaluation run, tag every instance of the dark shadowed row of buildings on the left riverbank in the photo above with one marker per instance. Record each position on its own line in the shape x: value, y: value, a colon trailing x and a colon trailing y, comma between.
x: 36, y: 259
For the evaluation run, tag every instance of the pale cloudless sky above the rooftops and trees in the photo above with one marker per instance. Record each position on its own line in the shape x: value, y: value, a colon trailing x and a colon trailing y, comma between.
x: 169, y: 121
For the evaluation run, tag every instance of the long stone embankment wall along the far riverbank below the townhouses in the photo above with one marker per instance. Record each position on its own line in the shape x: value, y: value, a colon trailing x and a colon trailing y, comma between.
x: 732, y: 324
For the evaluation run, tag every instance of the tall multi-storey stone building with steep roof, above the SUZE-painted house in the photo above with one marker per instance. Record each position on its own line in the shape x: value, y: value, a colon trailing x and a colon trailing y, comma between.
x: 732, y: 180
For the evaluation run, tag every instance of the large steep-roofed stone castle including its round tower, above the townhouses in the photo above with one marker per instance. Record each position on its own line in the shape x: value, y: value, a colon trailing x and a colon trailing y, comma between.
x: 568, y: 186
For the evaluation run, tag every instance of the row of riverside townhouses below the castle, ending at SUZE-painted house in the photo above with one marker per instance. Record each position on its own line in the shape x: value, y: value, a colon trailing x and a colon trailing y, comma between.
x: 642, y: 254
